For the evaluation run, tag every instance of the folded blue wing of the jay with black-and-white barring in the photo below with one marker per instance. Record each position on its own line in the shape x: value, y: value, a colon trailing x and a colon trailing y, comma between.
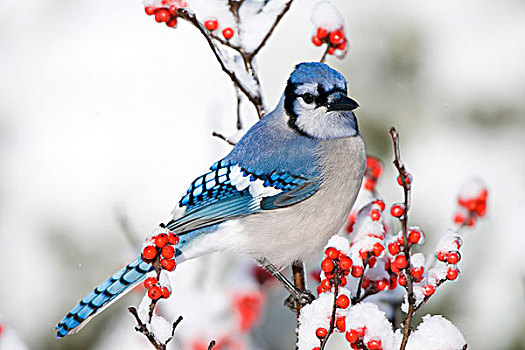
x: 226, y: 192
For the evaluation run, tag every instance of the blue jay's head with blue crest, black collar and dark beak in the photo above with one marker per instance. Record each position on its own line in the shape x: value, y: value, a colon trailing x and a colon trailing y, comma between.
x: 316, y: 103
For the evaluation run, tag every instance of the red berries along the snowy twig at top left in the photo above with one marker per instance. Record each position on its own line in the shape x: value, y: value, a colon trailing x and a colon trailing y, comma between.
x: 167, y: 13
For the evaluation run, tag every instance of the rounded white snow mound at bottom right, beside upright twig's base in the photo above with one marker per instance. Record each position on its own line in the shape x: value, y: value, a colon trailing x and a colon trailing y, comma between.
x: 434, y: 333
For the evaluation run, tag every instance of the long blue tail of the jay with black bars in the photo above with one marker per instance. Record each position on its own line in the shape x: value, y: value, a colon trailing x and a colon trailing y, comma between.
x: 103, y: 296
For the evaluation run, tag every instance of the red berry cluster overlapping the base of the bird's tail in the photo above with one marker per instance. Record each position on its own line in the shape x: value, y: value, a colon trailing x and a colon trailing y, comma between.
x: 161, y: 247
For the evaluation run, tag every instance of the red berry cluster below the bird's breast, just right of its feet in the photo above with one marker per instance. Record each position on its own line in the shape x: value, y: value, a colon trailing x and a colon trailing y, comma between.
x: 335, y: 264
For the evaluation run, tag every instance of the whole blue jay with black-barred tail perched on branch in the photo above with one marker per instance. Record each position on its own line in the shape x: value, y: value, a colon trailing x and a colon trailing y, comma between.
x: 284, y: 189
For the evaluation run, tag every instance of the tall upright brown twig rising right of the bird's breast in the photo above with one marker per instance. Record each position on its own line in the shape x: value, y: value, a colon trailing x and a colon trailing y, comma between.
x: 404, y: 227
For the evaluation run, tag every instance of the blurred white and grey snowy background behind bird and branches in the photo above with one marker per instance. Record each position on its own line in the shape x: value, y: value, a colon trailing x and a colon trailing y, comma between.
x: 105, y: 112
